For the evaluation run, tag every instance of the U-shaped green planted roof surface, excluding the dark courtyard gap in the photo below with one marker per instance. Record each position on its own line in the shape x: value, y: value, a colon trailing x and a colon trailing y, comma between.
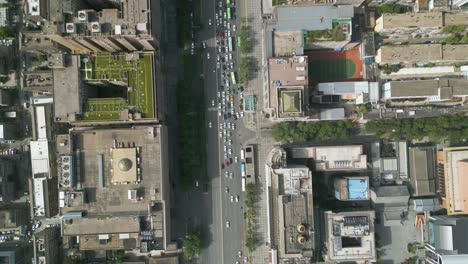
x: 136, y: 74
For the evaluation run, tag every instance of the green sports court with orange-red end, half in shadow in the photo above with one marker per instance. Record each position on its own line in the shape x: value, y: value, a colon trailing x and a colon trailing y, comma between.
x: 331, y: 66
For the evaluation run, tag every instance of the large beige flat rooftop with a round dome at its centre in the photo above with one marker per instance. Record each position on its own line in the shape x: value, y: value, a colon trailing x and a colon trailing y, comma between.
x: 101, y: 151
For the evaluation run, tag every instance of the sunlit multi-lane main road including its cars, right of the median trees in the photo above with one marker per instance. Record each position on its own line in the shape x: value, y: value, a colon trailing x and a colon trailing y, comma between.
x: 226, y: 242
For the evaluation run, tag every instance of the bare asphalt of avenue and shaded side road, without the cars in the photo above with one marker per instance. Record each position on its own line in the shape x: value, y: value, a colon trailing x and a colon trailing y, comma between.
x: 195, y: 210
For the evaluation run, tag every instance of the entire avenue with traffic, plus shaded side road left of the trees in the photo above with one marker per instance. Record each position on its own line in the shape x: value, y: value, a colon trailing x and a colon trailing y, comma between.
x: 195, y: 210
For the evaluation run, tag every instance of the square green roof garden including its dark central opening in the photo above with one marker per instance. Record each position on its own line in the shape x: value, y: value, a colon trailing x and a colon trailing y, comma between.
x: 132, y: 73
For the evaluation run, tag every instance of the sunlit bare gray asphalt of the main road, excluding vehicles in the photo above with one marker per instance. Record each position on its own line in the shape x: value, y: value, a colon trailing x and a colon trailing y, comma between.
x: 226, y: 242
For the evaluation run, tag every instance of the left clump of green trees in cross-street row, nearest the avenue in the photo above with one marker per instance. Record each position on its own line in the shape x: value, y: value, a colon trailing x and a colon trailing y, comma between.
x: 297, y: 132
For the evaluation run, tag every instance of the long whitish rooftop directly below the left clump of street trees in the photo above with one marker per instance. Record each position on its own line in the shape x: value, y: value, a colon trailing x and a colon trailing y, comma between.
x: 333, y: 158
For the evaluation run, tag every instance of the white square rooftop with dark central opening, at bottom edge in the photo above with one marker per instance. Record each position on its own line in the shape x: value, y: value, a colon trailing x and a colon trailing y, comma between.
x: 350, y: 236
